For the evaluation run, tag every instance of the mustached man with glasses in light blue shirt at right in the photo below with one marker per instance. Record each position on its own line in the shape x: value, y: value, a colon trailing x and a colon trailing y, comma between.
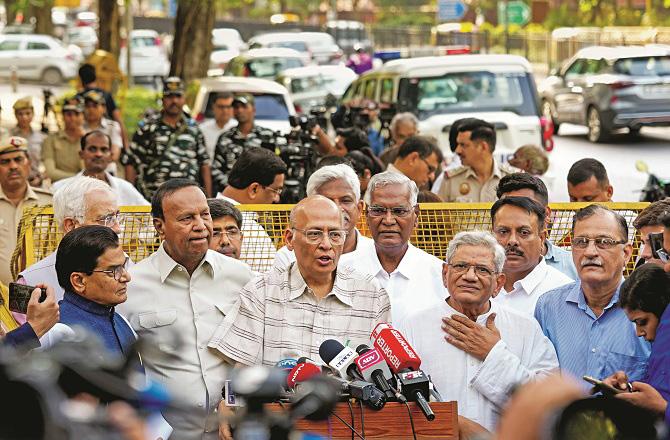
x: 590, y: 332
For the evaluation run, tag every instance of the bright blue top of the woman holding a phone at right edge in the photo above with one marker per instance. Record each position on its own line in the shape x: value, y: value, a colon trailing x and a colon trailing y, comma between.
x: 658, y: 370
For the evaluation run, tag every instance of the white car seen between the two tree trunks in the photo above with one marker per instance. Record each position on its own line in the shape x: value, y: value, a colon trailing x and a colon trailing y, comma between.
x: 148, y: 56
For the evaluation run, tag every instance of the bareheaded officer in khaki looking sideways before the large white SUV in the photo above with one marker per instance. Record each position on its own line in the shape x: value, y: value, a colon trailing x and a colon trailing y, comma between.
x: 477, y: 179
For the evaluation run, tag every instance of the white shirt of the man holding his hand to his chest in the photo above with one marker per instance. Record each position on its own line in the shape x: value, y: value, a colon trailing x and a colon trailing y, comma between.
x: 481, y: 388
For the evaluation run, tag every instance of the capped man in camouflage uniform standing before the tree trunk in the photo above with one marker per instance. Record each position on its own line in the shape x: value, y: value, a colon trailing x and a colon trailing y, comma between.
x: 167, y: 145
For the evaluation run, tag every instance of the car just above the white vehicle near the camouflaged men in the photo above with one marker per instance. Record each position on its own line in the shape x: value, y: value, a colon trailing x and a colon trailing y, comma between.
x: 264, y: 63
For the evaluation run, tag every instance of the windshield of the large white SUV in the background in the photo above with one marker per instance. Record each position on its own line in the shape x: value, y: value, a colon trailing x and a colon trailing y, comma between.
x: 465, y: 92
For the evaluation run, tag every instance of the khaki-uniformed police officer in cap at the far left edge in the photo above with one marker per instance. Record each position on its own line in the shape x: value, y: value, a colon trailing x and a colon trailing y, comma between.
x: 15, y: 195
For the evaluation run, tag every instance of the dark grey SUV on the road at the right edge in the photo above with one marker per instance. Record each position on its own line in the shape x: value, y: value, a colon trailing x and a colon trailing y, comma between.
x: 607, y: 88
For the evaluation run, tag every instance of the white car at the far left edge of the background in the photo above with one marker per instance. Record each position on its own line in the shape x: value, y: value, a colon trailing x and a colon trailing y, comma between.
x: 37, y: 57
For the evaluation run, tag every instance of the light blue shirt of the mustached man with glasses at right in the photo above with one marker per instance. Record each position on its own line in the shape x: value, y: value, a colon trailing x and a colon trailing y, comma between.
x: 587, y: 345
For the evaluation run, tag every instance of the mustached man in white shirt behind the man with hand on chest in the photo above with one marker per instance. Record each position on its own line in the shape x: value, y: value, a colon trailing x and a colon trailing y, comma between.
x: 518, y: 225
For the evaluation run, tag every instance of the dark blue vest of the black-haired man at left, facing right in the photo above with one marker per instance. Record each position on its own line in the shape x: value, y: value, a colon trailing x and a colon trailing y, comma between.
x: 103, y: 321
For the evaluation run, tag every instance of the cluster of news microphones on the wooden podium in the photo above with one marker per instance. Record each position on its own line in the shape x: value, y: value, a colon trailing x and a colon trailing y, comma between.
x: 386, y: 372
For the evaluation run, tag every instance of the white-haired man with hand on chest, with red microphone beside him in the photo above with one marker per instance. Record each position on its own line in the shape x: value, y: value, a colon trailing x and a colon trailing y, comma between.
x: 475, y: 351
